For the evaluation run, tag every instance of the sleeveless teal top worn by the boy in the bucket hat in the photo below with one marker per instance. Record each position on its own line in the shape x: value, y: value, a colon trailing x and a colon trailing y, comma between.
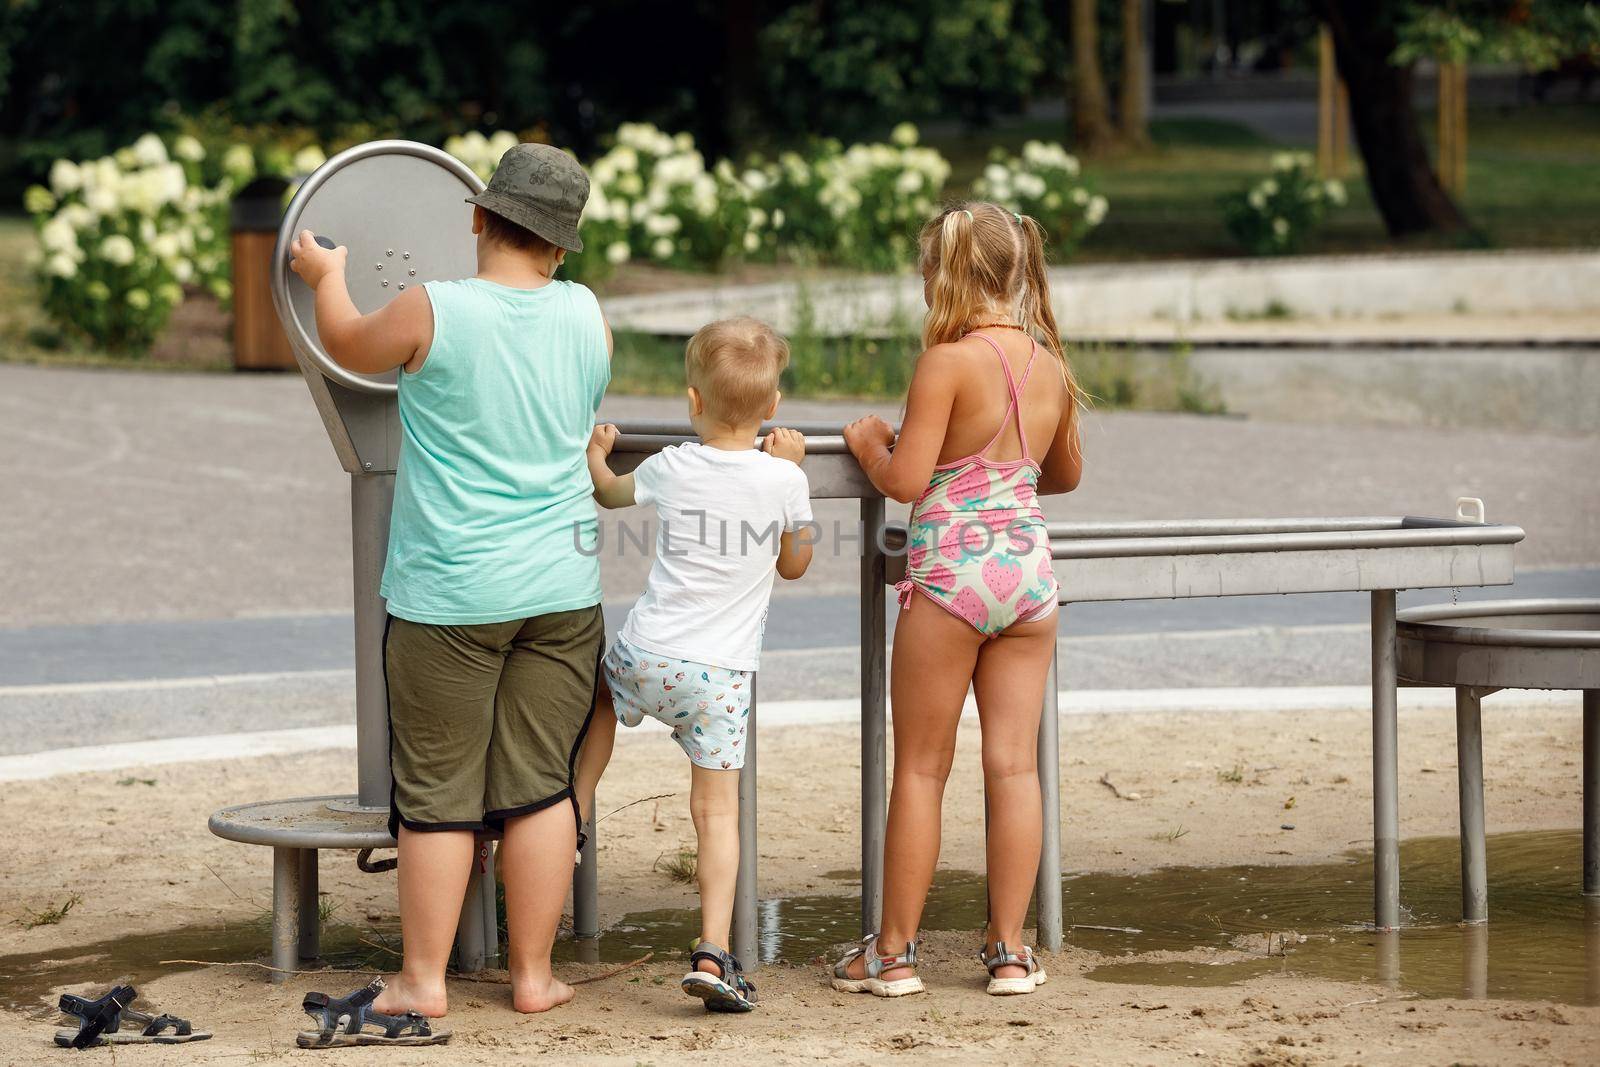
x: 494, y: 518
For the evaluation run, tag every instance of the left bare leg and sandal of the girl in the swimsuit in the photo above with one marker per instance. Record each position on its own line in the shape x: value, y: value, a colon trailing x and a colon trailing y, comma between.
x: 935, y: 655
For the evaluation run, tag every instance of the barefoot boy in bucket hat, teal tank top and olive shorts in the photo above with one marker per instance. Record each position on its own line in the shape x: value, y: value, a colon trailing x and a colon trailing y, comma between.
x: 495, y: 631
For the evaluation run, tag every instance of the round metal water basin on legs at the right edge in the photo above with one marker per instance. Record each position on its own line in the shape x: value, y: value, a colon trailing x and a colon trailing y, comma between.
x: 1481, y: 649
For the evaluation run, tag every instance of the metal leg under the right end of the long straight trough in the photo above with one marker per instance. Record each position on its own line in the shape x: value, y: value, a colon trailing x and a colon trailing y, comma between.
x: 1386, y: 765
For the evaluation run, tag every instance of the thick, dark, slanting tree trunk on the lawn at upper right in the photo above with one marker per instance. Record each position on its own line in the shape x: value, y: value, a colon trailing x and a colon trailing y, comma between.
x: 1399, y: 172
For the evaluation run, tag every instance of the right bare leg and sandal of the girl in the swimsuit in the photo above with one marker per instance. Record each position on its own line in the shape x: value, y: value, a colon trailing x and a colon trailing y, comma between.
x: 1010, y: 690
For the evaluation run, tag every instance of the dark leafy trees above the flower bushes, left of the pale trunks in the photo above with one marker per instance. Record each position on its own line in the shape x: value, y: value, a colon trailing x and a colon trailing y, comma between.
x: 81, y: 78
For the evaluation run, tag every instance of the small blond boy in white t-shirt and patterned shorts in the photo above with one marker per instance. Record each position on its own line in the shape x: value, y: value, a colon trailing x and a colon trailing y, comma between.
x: 687, y: 655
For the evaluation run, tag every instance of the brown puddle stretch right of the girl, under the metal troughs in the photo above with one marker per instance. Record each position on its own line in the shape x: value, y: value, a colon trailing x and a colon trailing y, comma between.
x: 1543, y: 938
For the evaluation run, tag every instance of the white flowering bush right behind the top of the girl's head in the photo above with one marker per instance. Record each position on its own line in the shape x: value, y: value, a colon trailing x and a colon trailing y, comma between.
x: 1046, y: 183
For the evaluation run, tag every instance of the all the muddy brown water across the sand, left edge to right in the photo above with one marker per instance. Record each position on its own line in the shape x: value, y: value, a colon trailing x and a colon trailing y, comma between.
x: 1177, y: 927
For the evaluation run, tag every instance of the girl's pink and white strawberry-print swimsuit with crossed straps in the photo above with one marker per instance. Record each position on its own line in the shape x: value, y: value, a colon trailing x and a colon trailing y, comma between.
x: 978, y: 545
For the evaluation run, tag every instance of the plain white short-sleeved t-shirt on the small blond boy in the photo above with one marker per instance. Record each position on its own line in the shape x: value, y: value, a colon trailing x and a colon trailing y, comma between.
x: 719, y: 521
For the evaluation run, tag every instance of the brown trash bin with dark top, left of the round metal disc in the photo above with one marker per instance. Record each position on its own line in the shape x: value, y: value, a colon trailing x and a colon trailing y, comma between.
x: 260, y: 342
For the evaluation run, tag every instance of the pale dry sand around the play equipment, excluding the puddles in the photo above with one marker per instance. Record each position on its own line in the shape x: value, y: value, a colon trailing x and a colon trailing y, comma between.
x: 142, y: 863
